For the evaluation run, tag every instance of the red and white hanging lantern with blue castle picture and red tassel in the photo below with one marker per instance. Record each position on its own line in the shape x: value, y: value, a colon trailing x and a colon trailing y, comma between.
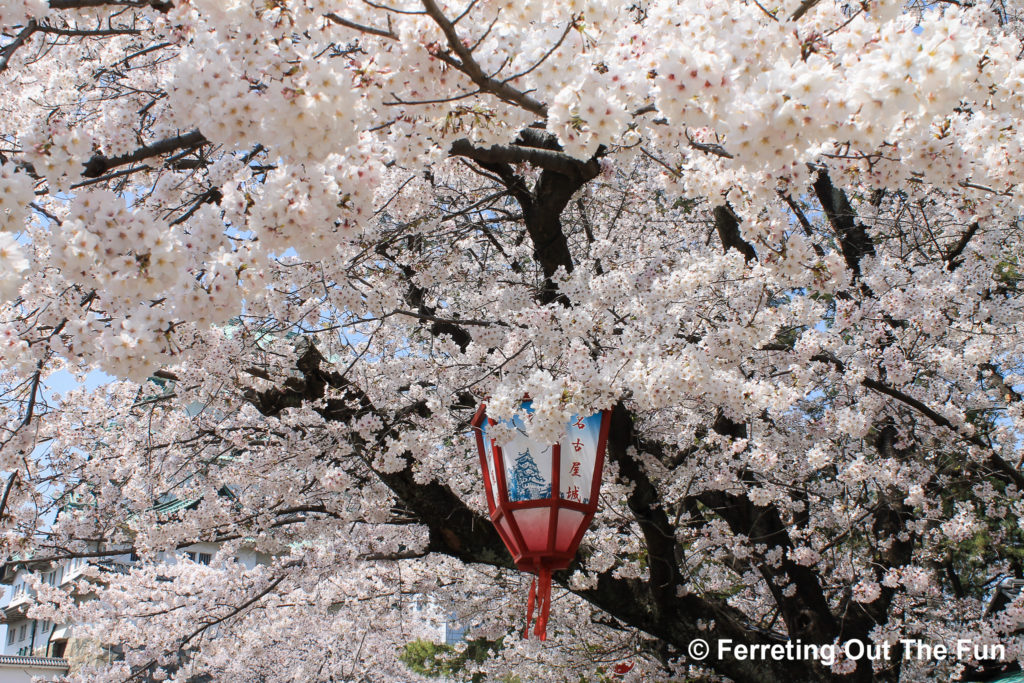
x: 542, y: 497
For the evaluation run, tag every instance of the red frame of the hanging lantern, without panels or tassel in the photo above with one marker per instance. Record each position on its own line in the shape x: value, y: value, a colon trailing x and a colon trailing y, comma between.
x: 502, y: 509
